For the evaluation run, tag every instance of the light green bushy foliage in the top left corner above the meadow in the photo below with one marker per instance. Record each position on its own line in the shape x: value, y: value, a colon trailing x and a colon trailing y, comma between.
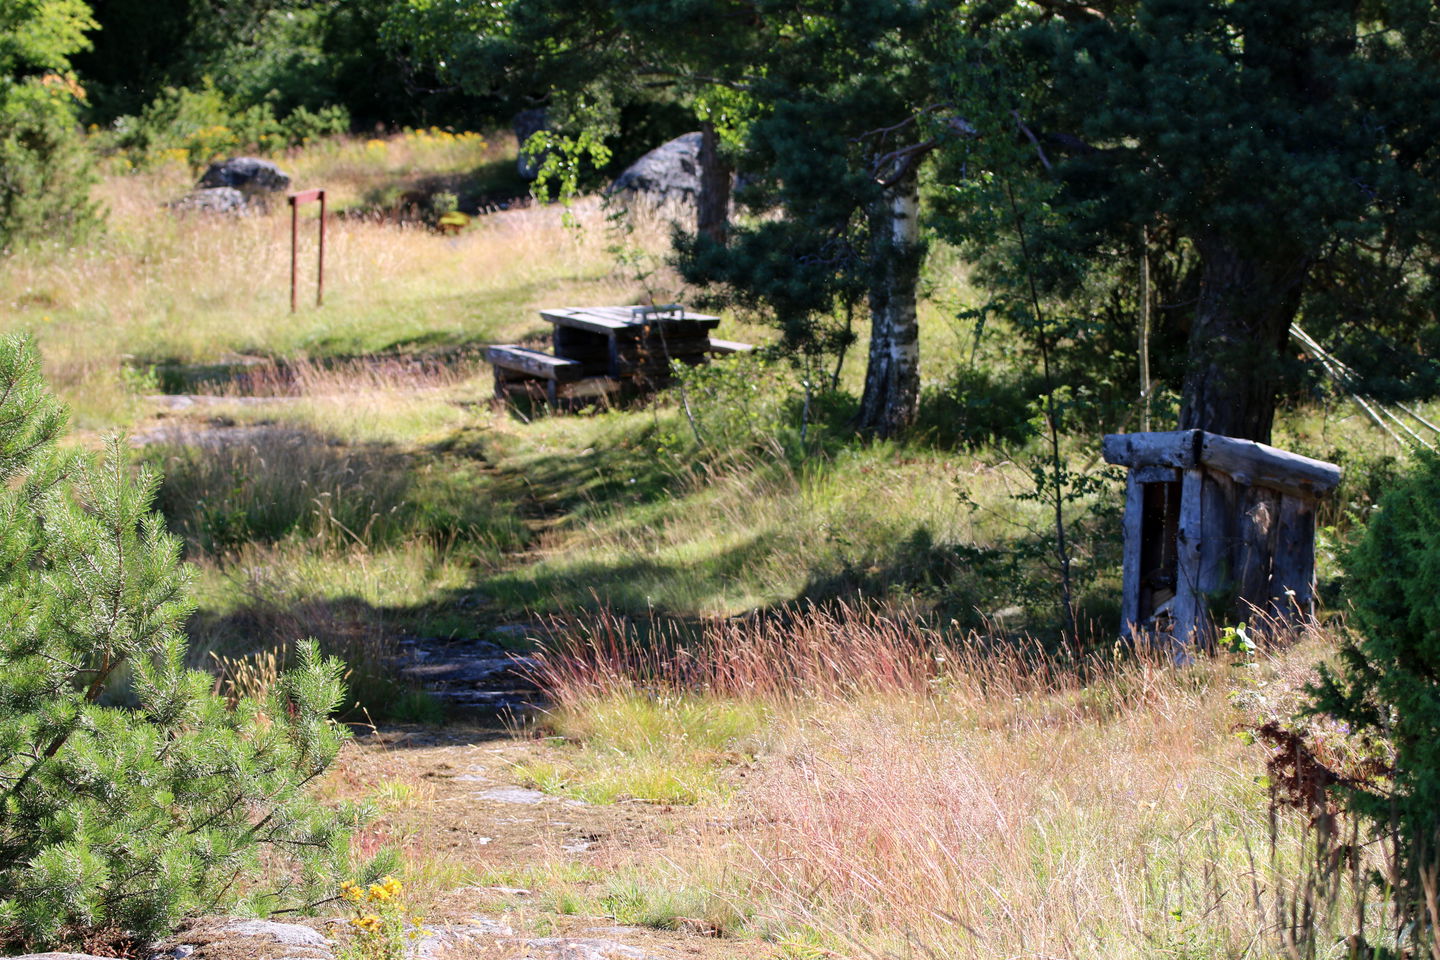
x: 45, y: 172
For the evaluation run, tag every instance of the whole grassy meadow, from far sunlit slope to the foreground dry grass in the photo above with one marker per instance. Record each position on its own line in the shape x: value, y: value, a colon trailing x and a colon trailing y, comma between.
x: 879, y: 775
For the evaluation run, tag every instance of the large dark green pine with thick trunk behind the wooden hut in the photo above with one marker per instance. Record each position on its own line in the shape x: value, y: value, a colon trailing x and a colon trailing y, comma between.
x: 1285, y: 150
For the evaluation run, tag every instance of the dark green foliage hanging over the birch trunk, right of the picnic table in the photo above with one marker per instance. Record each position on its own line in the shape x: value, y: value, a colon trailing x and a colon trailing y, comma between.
x: 834, y: 97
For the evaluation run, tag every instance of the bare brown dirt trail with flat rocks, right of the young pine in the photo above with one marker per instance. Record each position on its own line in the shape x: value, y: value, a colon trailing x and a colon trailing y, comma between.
x: 485, y: 848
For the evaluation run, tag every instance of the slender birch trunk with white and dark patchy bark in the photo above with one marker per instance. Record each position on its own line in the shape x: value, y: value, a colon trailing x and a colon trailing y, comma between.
x: 894, y: 376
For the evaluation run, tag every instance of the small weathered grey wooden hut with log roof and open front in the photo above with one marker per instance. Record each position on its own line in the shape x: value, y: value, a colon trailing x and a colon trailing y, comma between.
x: 1216, y: 529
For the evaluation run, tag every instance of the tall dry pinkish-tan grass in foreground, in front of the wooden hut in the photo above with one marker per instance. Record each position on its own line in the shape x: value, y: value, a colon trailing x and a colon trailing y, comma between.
x: 930, y: 795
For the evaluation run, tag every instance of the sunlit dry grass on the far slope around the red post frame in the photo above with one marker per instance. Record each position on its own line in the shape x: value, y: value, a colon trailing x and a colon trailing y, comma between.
x: 168, y: 287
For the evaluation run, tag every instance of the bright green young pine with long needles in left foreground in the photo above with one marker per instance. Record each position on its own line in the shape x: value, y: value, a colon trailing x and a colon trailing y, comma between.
x: 130, y: 795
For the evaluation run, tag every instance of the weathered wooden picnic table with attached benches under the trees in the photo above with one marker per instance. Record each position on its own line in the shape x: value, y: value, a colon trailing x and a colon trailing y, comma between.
x: 606, y: 352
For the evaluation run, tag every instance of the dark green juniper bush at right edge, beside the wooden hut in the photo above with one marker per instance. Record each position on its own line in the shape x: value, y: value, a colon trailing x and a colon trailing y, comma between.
x: 1385, y: 683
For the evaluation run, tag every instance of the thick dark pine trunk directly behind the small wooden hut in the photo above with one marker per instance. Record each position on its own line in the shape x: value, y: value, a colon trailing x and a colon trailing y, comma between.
x: 1242, y: 323
